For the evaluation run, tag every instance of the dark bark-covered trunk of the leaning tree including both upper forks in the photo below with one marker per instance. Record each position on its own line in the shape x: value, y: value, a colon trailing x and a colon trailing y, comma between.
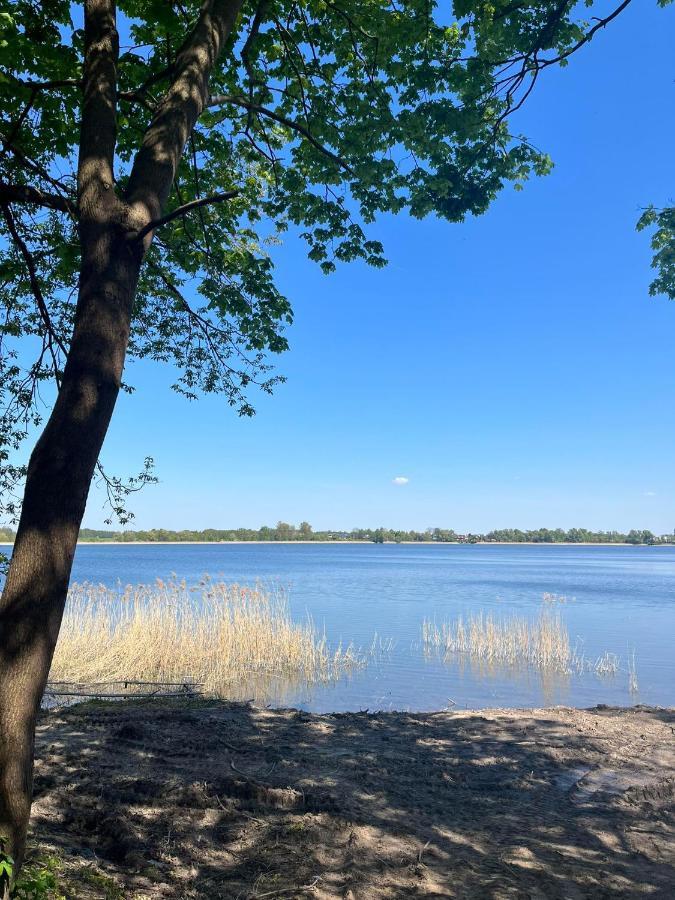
x: 62, y: 464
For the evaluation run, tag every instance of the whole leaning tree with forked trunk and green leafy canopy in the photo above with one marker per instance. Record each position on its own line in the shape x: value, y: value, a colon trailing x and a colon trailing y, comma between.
x: 140, y: 187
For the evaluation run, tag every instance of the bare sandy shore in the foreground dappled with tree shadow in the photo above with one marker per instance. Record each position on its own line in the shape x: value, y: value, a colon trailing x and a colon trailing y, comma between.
x: 211, y: 799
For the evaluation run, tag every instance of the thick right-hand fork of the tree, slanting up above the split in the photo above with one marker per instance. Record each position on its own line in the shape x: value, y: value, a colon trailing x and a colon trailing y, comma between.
x: 157, y: 160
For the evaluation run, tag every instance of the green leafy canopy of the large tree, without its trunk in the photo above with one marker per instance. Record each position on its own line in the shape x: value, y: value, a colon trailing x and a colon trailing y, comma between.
x: 323, y: 114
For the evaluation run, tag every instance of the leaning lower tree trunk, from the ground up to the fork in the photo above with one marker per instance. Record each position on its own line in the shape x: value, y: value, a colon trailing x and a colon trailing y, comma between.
x: 59, y: 475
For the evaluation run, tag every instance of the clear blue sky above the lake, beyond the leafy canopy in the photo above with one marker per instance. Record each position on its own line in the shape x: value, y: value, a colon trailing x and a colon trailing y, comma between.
x: 512, y: 368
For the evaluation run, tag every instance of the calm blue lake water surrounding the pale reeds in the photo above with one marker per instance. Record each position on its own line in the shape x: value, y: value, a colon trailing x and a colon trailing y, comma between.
x: 619, y: 599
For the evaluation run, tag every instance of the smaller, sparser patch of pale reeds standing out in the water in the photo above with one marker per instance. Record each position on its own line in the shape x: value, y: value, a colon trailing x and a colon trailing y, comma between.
x: 543, y: 643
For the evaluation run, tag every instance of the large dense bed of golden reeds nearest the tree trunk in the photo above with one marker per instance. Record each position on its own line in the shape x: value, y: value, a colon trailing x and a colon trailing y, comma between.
x: 220, y: 635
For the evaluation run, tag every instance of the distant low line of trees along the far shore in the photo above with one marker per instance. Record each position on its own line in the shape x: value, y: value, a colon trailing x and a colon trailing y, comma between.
x: 283, y: 531
